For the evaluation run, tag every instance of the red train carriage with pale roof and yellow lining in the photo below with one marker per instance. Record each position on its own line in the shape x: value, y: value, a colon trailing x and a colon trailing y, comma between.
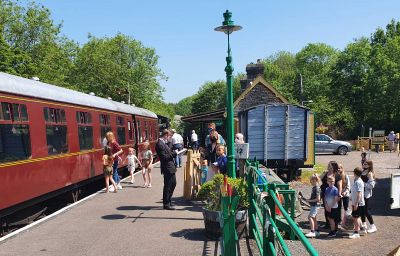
x: 51, y: 138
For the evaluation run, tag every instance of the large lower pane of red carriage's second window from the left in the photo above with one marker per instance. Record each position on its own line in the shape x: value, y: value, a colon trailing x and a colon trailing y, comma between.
x: 56, y: 136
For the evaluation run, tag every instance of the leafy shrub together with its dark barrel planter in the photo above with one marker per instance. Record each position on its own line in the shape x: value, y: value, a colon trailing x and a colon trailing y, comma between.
x: 210, y: 192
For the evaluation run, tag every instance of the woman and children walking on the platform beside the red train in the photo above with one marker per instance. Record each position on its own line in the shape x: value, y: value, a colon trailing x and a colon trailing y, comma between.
x: 112, y: 157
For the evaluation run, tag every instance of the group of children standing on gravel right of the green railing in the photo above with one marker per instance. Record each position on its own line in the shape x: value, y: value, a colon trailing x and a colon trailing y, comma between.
x: 335, y: 191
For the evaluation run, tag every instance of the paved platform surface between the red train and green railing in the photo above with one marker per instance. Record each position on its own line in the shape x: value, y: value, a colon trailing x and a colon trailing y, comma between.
x: 130, y: 222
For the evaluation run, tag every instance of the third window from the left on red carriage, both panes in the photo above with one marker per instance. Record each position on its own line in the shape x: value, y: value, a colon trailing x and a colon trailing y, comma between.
x: 85, y: 130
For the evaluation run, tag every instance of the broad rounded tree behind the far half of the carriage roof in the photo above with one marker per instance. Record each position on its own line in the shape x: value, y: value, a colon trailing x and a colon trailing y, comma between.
x: 110, y: 67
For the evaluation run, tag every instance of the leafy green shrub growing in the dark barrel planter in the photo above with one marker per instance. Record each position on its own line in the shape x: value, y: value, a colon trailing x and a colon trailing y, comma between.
x: 211, y: 192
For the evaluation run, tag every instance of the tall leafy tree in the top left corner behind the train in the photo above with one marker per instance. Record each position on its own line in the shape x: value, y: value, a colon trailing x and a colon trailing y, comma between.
x: 34, y: 37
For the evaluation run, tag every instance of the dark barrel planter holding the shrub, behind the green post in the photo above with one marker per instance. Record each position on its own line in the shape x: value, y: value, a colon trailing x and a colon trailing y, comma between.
x: 212, y: 226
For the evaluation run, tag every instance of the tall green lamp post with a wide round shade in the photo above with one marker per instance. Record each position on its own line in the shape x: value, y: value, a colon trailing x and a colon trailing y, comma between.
x: 228, y: 27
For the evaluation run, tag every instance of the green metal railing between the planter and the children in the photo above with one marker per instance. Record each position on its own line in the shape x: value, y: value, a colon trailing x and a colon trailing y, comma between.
x: 264, y: 224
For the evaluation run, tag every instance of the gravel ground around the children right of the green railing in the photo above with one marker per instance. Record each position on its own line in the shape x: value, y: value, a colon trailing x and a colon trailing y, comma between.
x: 387, y: 221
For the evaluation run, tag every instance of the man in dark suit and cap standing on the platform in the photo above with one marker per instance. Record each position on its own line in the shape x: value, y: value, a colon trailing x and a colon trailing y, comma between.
x: 168, y: 169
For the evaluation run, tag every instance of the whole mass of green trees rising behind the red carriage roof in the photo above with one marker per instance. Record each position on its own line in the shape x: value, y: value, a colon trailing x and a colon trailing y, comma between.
x: 31, y: 45
